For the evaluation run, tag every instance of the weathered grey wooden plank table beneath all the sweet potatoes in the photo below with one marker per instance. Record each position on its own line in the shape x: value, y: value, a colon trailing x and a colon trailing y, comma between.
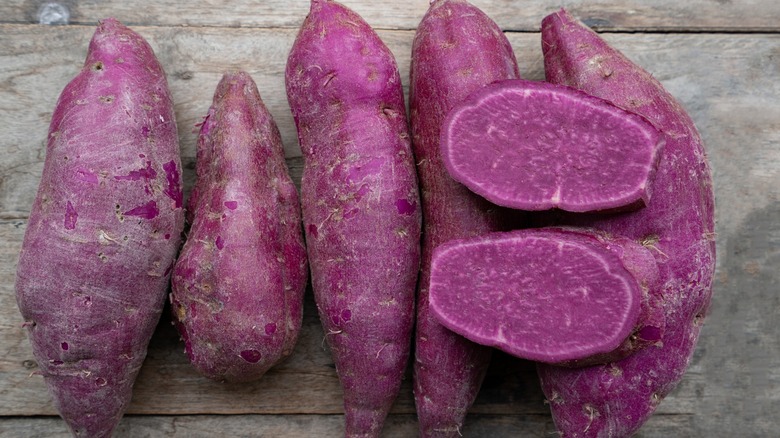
x: 720, y: 58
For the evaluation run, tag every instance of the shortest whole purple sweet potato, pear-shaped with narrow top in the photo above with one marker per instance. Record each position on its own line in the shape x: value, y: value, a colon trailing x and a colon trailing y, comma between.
x: 239, y: 282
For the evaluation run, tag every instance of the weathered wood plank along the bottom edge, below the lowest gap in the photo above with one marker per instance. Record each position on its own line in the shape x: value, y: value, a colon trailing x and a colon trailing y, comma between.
x: 295, y: 426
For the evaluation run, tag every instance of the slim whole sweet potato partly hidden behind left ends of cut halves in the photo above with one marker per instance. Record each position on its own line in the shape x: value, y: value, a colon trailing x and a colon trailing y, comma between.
x: 457, y: 50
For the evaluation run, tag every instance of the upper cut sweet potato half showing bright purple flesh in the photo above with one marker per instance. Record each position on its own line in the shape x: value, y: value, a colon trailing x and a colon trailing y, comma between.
x: 535, y: 146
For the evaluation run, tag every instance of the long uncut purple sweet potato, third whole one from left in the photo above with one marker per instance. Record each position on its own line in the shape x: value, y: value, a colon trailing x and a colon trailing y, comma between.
x: 360, y: 204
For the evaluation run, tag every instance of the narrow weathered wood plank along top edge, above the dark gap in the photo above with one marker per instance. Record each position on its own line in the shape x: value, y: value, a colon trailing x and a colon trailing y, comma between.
x: 746, y: 15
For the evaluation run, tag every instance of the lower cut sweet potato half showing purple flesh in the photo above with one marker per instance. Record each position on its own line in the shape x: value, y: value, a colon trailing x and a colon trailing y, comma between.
x: 551, y: 295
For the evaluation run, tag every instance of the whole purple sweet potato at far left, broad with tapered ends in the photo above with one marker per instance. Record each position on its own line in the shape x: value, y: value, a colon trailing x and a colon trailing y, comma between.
x: 103, y: 231
